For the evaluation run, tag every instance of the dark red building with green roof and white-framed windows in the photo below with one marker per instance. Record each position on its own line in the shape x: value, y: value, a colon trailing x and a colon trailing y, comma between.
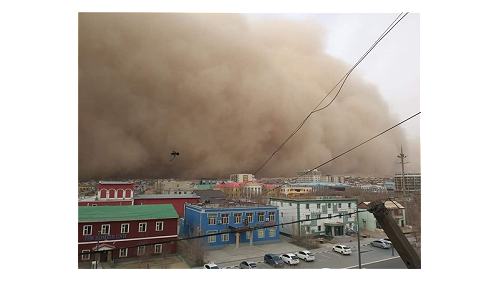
x: 123, y: 231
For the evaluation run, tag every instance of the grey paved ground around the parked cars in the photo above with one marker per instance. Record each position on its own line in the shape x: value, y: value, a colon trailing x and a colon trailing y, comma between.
x: 371, y: 257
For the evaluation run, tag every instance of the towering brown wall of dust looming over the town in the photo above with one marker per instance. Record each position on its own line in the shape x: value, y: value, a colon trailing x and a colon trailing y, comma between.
x: 224, y: 93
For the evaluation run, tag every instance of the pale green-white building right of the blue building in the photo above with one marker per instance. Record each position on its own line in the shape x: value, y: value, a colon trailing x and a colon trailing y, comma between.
x: 329, y: 216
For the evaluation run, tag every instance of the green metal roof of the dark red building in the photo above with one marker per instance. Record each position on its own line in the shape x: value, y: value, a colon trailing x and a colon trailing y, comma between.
x: 125, y: 213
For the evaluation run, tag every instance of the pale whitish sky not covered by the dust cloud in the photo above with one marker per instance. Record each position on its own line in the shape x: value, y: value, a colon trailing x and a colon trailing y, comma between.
x: 394, y: 65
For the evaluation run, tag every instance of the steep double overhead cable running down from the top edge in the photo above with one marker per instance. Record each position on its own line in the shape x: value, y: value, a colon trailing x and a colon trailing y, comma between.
x: 344, y: 78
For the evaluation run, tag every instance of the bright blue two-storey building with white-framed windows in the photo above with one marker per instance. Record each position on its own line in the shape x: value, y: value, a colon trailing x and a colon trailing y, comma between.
x: 216, y: 219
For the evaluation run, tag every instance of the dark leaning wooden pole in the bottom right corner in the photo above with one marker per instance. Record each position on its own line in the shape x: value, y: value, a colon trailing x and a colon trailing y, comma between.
x: 397, y: 237
